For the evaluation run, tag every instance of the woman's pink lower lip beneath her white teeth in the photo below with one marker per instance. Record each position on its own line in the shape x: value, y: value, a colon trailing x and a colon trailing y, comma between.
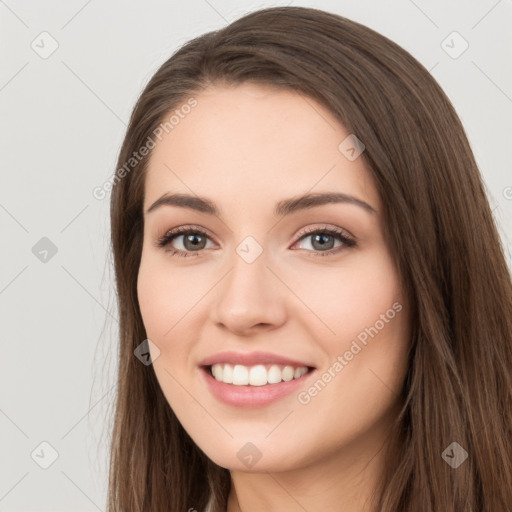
x: 252, y: 396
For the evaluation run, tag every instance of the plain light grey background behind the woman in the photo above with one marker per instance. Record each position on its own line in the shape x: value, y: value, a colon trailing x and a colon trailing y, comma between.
x: 63, y: 119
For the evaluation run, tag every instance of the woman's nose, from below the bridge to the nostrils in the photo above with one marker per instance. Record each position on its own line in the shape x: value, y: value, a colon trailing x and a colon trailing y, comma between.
x: 250, y: 298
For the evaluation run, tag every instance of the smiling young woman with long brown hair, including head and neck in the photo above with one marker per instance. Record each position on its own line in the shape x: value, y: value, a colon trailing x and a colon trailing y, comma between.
x: 375, y: 378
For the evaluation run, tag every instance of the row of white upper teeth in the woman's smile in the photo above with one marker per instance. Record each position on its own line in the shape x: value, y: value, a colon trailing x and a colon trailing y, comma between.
x: 257, y: 375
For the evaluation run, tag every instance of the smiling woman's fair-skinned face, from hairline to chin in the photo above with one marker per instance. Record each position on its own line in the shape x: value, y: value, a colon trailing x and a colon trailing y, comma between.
x: 264, y: 280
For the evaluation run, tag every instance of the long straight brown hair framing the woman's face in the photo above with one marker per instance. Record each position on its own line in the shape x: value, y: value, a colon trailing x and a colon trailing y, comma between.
x: 441, y: 233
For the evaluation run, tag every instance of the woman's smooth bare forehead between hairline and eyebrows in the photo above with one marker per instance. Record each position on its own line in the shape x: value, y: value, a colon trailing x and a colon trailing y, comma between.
x: 249, y: 142
